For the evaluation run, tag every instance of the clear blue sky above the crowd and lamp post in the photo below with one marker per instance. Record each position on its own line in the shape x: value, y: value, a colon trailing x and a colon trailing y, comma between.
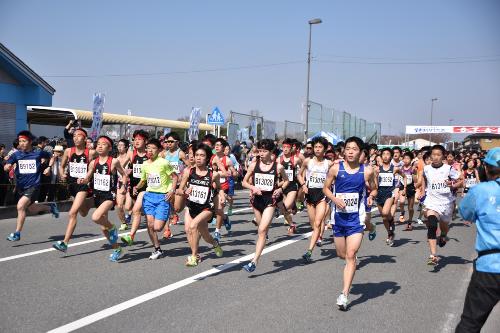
x: 358, y: 50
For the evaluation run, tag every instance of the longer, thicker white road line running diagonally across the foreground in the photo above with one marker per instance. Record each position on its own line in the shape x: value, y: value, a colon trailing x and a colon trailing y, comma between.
x: 85, y: 321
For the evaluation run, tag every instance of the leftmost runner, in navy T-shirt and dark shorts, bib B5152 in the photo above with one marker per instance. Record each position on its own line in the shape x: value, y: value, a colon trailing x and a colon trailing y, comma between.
x: 28, y: 173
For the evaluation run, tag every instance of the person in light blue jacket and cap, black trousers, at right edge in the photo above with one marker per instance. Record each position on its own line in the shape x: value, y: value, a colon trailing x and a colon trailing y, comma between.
x: 482, y: 205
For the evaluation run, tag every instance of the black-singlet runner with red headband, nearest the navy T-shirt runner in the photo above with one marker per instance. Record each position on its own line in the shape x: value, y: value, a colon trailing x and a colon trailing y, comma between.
x: 77, y: 159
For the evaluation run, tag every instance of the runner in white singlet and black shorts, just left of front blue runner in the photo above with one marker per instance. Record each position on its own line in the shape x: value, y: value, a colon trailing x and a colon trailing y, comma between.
x: 312, y: 178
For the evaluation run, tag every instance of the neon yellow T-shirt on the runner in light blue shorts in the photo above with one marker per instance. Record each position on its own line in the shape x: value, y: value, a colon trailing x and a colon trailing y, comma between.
x: 157, y: 174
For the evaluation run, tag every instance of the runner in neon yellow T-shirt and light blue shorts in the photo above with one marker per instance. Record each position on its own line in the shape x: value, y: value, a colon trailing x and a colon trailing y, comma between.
x: 161, y: 180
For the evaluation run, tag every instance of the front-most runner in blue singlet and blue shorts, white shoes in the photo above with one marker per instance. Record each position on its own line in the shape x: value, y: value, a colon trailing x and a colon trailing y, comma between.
x: 349, y: 180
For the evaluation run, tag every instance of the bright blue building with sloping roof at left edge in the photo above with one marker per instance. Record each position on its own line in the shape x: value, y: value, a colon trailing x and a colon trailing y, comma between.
x: 20, y: 86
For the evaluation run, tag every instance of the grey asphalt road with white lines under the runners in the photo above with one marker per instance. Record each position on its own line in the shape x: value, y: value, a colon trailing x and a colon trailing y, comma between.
x: 393, y: 291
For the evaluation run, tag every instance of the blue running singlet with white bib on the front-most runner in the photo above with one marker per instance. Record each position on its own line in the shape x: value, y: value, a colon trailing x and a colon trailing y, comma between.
x: 352, y: 190
